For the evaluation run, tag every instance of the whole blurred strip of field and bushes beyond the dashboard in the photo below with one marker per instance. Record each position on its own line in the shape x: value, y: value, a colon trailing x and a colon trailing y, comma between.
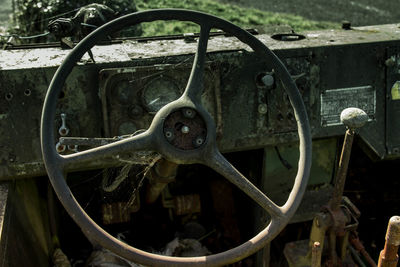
x: 32, y: 16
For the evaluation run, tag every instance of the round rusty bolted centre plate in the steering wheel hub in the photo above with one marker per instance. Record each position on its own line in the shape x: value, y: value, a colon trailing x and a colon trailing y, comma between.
x: 185, y: 129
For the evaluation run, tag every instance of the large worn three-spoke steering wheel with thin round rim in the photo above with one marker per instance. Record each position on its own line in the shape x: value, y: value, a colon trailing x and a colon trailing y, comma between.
x: 194, y: 142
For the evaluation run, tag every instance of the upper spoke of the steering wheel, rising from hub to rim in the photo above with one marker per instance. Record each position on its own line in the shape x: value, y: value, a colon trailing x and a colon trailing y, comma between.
x: 195, y: 85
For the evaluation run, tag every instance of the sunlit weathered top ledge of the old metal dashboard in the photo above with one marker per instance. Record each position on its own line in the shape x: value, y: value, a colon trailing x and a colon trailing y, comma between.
x: 17, y: 59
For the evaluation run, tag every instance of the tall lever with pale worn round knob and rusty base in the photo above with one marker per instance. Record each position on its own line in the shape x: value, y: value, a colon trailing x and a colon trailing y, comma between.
x: 336, y: 221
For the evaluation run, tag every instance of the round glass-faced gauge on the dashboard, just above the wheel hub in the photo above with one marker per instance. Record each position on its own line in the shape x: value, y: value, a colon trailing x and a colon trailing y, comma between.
x: 159, y: 92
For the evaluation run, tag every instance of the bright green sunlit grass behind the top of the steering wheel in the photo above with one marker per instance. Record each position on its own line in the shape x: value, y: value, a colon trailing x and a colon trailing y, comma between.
x: 244, y: 17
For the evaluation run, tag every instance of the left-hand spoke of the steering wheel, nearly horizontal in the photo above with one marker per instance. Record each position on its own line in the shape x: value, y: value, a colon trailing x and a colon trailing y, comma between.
x: 140, y: 142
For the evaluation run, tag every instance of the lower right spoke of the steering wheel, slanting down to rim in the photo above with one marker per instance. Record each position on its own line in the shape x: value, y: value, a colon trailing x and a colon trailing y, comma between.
x: 221, y: 165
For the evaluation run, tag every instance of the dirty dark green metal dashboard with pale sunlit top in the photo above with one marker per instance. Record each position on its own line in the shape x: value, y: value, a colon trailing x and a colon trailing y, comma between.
x: 118, y: 90
